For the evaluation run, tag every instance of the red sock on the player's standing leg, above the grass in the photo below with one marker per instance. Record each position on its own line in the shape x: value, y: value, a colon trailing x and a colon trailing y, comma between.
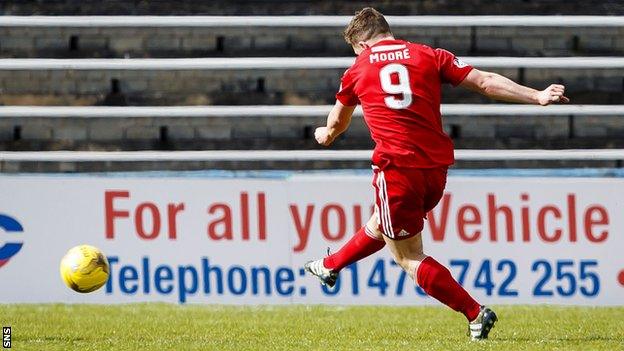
x: 438, y: 282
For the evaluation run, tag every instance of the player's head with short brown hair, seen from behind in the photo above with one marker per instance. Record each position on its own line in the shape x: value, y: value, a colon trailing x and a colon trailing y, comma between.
x: 366, y: 24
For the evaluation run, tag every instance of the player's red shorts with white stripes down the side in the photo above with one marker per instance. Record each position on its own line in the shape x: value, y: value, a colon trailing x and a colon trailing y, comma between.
x: 403, y: 196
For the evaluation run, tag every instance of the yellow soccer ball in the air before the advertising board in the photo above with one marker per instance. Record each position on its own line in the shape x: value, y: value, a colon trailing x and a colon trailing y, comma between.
x: 84, y: 268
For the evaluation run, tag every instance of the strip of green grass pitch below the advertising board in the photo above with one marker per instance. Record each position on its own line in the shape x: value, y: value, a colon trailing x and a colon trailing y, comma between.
x: 327, y: 328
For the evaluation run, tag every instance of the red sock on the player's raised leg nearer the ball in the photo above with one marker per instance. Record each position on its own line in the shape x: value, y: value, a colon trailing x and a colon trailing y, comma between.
x: 361, y: 245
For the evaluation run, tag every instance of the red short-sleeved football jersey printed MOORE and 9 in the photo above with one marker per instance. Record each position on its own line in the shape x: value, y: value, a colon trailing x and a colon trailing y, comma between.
x: 398, y: 84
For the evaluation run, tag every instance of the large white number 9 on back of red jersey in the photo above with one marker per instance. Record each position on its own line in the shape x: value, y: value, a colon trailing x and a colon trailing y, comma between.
x: 401, y: 88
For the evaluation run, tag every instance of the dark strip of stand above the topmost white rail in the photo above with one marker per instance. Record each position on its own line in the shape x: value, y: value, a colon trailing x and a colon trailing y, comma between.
x: 306, y: 7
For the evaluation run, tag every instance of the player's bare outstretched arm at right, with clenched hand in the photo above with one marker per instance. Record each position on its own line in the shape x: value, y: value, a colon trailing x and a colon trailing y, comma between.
x: 497, y: 87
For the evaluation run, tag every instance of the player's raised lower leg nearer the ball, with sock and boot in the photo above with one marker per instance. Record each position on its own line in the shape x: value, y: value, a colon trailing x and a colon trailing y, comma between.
x: 364, y: 243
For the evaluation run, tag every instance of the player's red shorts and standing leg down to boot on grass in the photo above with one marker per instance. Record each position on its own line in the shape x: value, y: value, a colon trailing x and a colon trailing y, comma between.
x: 404, y: 196
